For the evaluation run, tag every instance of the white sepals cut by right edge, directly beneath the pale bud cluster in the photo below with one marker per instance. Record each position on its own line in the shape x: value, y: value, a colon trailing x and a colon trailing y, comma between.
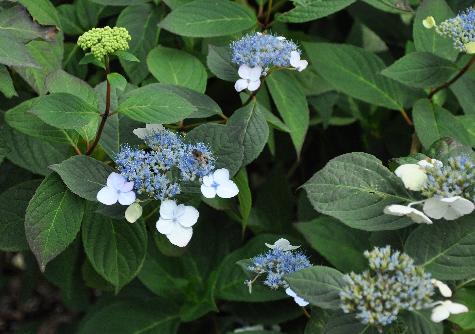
x: 449, y: 208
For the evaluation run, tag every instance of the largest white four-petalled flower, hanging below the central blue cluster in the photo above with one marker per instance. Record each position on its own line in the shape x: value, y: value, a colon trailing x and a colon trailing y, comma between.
x: 176, y: 221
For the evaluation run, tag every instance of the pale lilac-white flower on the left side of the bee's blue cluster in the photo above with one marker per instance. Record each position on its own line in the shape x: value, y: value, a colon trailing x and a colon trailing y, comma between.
x: 116, y: 190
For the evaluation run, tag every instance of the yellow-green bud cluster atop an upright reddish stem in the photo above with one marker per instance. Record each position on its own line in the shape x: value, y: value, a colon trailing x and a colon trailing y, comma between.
x: 105, y: 41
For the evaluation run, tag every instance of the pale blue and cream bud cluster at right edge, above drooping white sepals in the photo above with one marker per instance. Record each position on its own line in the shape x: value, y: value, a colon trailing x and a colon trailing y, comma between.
x: 455, y: 178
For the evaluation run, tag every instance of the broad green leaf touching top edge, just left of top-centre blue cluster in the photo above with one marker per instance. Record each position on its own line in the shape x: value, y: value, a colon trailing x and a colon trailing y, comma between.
x: 209, y: 18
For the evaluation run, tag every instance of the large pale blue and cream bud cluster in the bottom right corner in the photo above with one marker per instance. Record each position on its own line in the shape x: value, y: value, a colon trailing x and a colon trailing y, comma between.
x: 392, y: 284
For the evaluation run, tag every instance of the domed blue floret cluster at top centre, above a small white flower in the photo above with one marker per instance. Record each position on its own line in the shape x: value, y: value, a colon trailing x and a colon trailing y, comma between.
x: 264, y: 50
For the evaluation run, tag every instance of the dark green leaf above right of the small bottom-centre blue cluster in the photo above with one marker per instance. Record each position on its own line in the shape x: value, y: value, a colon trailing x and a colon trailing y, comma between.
x: 326, y: 234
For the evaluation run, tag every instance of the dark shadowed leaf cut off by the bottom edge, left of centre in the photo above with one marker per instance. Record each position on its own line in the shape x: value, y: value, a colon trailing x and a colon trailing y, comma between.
x: 141, y: 316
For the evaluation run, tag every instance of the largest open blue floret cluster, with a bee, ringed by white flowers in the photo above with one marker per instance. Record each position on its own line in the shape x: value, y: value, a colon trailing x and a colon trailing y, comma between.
x: 158, y: 171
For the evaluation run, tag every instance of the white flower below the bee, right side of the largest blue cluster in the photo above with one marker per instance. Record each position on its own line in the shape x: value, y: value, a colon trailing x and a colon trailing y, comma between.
x: 218, y: 183
